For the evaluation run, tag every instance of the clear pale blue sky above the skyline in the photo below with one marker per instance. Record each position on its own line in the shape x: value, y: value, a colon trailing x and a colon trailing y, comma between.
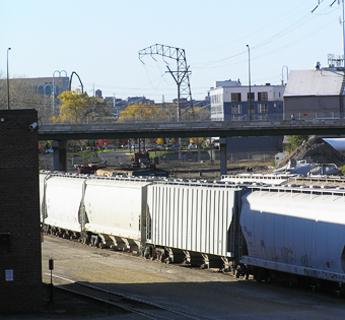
x: 100, y: 40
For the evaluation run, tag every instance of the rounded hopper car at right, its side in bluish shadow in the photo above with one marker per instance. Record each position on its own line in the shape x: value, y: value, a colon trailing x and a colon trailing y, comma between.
x: 300, y: 231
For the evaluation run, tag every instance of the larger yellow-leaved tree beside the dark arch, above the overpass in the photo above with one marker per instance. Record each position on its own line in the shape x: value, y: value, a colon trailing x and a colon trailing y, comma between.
x: 79, y: 108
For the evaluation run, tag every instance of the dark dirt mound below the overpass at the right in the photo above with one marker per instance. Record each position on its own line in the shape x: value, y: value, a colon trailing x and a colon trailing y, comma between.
x: 315, y: 150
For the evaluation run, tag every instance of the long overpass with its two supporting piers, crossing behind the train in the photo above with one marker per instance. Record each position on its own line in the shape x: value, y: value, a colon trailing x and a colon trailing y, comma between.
x: 60, y: 134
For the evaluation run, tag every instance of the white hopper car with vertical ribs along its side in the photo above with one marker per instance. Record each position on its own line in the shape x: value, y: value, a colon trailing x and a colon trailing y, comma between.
x: 192, y: 222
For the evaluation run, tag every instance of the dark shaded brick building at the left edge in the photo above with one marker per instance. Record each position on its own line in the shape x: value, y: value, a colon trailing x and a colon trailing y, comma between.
x: 20, y: 246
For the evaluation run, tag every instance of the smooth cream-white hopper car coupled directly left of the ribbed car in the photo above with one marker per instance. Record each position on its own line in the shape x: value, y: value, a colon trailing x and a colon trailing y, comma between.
x: 115, y: 211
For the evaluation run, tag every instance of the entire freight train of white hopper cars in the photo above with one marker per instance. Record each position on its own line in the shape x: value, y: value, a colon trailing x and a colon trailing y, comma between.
x: 291, y: 230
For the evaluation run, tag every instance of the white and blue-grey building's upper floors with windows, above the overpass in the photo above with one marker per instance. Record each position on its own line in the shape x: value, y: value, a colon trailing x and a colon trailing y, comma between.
x: 230, y: 101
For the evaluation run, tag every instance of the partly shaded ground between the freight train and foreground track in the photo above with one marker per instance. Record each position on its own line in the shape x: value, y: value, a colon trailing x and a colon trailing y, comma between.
x: 202, y: 293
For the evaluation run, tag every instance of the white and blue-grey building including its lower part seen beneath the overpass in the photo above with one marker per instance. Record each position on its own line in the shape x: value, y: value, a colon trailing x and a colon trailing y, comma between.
x: 230, y: 102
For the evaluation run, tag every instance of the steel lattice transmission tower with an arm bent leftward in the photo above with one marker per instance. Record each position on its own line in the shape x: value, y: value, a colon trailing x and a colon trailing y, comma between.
x: 180, y: 75
